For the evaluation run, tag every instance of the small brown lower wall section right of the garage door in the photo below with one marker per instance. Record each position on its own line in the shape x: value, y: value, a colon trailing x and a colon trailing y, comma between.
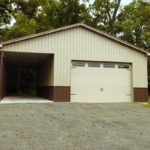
x: 141, y: 94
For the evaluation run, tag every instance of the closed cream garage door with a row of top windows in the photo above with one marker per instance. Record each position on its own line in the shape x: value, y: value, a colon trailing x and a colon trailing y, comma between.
x: 100, y: 82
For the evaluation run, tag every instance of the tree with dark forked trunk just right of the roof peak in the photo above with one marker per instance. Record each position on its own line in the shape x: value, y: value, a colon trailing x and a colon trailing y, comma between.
x: 105, y: 13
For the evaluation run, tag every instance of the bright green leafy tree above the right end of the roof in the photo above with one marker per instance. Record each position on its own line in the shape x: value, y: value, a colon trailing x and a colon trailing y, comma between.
x: 132, y: 27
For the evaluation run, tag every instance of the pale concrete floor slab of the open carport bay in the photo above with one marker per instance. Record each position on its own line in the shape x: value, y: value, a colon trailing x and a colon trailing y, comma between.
x: 23, y: 99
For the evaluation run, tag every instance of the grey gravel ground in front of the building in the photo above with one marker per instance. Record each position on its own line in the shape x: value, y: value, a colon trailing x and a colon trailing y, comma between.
x: 73, y: 126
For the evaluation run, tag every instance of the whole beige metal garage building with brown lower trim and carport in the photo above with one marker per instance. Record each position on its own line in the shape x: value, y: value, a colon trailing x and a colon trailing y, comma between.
x: 78, y: 63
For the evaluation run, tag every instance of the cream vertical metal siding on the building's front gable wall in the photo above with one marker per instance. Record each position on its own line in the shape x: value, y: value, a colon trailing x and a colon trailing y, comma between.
x: 81, y: 44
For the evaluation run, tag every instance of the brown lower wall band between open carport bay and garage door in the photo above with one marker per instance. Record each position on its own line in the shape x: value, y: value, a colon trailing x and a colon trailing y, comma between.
x: 54, y: 93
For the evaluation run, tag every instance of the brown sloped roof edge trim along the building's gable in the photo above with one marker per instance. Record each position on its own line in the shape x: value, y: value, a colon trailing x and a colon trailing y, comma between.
x: 74, y: 26
